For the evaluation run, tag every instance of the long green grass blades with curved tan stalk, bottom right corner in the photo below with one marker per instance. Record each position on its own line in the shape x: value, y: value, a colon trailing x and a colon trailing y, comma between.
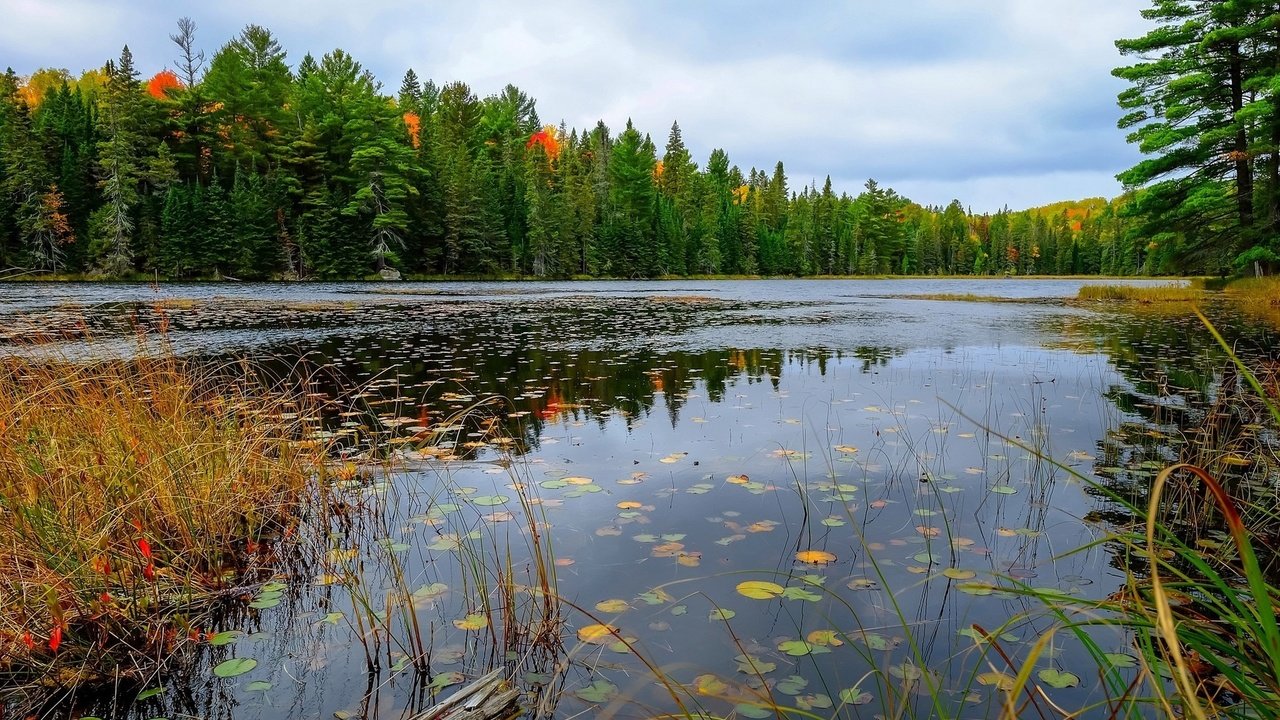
x: 1199, y: 601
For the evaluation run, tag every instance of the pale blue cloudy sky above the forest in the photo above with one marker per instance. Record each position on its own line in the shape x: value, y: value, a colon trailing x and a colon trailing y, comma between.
x: 995, y: 103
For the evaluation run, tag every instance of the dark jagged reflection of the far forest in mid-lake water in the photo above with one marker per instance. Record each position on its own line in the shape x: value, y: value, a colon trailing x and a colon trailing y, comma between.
x: 514, y: 390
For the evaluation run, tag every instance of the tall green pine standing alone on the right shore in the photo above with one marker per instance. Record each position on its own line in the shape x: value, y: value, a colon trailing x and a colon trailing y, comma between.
x: 1203, y: 104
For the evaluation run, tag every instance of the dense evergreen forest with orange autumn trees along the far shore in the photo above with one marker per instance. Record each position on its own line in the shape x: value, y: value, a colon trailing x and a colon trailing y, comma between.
x: 248, y: 168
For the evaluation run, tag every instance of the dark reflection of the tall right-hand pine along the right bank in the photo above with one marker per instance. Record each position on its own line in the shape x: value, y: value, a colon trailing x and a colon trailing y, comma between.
x: 1186, y: 403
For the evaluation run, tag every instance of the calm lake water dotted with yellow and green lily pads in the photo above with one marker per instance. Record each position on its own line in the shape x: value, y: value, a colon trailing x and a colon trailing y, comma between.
x: 893, y: 470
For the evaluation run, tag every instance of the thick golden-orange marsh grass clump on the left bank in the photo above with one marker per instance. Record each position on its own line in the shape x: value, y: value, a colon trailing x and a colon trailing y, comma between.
x: 135, y: 495
